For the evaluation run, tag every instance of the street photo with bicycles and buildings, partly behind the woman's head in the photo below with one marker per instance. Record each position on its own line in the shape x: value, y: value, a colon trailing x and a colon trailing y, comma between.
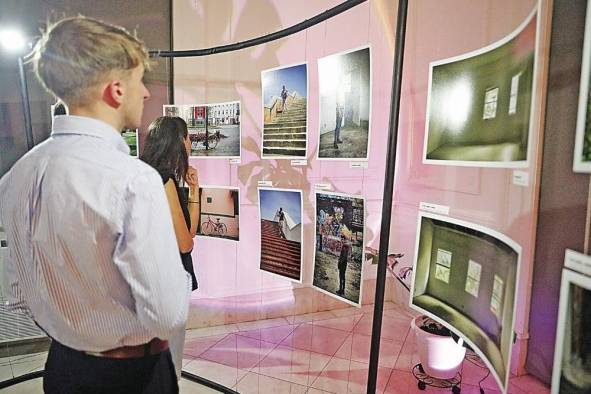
x: 214, y: 129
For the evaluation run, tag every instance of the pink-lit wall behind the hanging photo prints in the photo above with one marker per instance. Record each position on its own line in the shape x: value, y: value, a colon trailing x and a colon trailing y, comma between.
x: 436, y: 30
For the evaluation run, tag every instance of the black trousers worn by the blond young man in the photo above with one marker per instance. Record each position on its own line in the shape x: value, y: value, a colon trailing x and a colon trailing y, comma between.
x: 69, y: 371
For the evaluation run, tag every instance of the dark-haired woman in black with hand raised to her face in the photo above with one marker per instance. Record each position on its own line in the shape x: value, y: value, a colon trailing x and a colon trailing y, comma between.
x: 167, y: 148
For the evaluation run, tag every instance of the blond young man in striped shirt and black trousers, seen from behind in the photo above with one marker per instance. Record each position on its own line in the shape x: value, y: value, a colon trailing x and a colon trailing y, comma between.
x: 92, y: 252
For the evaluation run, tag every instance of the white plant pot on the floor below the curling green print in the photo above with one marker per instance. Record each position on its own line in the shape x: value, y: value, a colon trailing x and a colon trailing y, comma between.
x: 440, y: 356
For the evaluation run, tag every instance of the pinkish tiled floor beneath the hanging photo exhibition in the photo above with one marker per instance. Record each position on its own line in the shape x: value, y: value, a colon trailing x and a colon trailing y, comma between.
x: 318, y: 353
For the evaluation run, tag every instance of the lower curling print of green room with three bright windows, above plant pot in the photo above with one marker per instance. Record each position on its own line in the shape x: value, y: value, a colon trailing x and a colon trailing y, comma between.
x: 465, y: 277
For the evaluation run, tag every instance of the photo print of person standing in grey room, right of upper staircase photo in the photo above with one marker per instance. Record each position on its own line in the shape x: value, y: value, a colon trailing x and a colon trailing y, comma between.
x: 345, y: 105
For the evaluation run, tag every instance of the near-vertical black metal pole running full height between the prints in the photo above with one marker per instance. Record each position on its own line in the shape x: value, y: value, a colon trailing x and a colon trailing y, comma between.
x: 387, y: 201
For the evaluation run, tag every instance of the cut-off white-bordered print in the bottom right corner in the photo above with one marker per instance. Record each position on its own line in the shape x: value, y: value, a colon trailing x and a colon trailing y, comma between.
x: 572, y: 355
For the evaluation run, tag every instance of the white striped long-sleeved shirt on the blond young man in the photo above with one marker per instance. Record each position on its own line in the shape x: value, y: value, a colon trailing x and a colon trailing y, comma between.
x: 92, y: 251
